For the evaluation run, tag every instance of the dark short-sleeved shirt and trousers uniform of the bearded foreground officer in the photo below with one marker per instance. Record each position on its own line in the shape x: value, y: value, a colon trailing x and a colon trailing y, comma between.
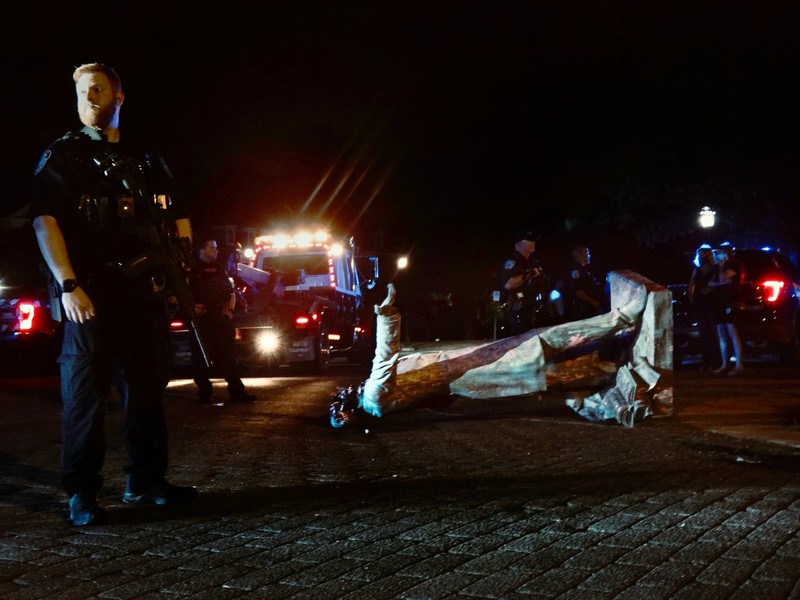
x: 106, y: 230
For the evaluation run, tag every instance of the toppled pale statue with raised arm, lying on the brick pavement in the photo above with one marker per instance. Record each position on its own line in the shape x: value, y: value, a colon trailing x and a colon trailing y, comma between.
x: 617, y: 365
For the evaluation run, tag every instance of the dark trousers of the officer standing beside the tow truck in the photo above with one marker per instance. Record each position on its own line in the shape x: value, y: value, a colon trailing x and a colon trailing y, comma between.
x: 219, y: 338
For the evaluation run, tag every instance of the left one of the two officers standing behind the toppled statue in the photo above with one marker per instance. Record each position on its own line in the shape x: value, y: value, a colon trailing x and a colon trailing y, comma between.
x: 523, y: 280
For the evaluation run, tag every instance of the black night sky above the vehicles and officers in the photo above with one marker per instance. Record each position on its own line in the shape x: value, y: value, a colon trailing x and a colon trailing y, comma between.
x: 445, y: 126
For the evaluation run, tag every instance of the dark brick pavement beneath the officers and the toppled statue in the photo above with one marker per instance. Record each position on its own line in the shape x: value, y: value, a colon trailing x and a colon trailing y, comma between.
x: 507, y: 499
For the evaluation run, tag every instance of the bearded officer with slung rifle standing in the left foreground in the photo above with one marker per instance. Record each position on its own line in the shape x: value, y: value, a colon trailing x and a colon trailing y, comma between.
x: 96, y: 202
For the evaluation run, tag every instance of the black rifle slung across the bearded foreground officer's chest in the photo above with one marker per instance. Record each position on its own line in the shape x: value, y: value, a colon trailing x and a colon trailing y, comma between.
x: 165, y: 251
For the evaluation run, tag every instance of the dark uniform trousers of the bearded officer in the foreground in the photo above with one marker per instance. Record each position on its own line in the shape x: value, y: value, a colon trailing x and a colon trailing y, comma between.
x: 130, y: 344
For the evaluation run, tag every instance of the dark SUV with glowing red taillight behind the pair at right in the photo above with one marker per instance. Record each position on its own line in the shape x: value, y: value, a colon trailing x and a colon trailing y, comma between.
x: 768, y: 315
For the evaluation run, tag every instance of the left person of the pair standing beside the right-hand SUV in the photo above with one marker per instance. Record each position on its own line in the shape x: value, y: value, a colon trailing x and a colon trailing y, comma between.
x: 700, y: 295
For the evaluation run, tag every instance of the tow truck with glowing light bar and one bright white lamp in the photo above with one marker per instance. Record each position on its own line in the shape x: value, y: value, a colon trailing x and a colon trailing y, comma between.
x: 302, y: 302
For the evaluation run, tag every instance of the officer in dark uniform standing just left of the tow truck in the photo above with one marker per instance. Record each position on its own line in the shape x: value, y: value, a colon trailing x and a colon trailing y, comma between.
x: 214, y: 294
